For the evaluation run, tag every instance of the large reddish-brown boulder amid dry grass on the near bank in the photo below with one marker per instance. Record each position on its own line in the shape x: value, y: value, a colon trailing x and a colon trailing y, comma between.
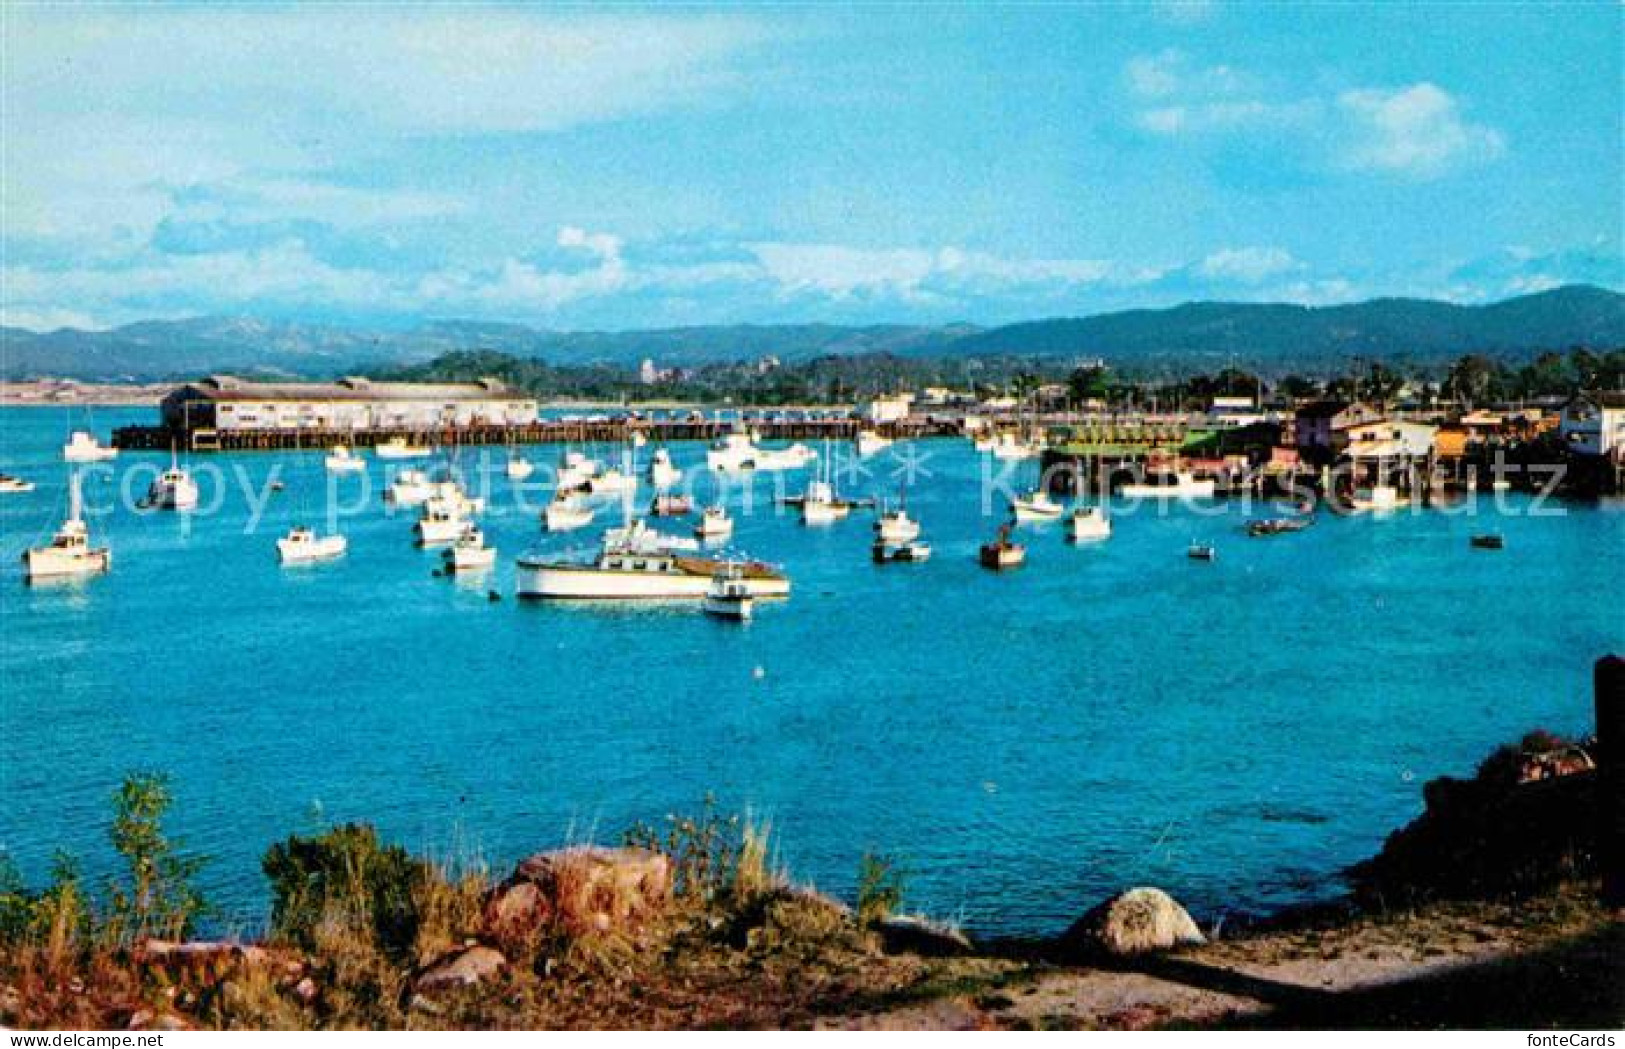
x: 579, y: 892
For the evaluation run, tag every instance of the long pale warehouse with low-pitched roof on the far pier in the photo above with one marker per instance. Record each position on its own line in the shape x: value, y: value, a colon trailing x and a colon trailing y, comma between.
x: 353, y: 404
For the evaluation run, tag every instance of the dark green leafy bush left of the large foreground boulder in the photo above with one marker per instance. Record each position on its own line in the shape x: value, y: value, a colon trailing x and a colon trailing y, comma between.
x: 345, y: 876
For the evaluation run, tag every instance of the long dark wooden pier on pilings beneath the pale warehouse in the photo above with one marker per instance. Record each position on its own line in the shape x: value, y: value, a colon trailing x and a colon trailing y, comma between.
x: 547, y: 433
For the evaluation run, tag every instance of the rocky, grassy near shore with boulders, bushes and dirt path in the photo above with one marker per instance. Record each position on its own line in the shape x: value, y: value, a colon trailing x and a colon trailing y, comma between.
x: 1484, y: 913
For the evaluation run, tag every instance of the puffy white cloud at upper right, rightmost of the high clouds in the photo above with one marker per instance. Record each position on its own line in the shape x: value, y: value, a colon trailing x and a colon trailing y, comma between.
x: 1416, y: 131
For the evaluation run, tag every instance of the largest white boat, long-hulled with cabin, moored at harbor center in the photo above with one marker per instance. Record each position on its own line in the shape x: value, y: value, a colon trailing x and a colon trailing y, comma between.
x: 631, y: 576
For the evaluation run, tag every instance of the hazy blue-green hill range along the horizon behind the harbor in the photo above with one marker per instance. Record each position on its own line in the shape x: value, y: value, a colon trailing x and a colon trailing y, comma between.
x: 1268, y: 337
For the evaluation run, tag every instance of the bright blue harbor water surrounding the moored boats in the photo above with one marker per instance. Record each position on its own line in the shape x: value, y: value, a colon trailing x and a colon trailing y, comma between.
x: 1025, y: 743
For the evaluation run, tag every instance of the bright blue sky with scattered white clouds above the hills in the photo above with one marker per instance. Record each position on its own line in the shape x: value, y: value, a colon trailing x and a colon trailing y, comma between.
x: 623, y: 168
